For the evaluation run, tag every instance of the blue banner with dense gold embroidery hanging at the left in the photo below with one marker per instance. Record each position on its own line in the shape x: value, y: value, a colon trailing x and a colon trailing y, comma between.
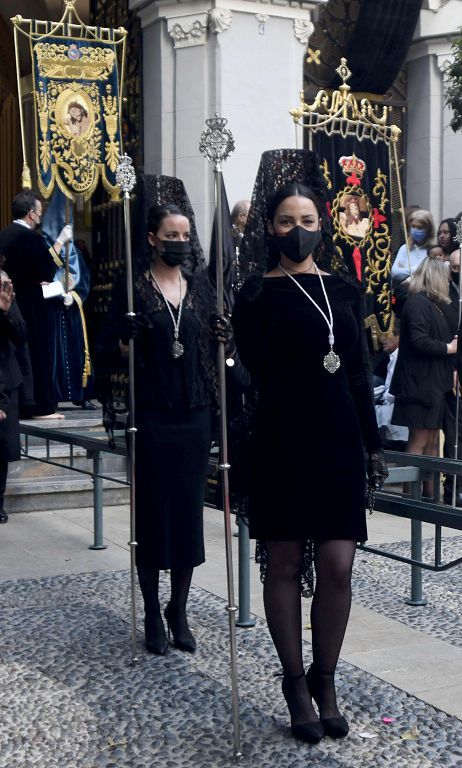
x: 77, y: 114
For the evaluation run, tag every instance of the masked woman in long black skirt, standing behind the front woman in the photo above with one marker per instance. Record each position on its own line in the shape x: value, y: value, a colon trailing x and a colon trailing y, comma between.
x: 173, y: 395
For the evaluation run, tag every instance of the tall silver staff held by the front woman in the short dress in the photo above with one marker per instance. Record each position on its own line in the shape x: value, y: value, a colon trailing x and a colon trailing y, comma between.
x: 216, y: 145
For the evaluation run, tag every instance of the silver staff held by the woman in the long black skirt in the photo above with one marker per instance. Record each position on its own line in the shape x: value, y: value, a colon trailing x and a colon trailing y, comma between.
x: 126, y: 179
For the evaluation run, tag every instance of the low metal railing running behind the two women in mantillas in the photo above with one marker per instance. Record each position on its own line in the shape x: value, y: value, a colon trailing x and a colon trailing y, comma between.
x: 403, y: 468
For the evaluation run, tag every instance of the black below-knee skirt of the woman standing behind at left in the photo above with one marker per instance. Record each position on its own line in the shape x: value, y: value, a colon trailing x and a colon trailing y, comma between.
x: 172, y: 453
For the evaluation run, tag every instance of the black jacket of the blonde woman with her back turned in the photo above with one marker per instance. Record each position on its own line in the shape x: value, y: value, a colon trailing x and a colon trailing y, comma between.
x: 423, y: 371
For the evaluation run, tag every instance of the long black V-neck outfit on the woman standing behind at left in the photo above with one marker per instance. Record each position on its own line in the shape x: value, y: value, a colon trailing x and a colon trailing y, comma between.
x: 173, y: 430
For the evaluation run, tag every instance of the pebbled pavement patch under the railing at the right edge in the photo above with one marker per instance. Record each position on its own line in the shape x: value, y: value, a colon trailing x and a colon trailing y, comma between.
x: 383, y: 585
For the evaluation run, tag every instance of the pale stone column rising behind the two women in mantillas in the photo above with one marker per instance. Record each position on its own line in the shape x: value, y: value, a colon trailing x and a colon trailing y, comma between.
x: 240, y: 58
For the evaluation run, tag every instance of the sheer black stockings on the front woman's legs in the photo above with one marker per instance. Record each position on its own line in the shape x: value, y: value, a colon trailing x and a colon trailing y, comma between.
x: 329, y: 611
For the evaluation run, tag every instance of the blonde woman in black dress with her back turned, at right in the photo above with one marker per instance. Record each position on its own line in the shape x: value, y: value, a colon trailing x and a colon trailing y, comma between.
x: 423, y: 373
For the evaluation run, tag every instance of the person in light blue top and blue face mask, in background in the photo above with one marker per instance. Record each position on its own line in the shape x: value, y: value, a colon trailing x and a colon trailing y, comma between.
x: 420, y: 235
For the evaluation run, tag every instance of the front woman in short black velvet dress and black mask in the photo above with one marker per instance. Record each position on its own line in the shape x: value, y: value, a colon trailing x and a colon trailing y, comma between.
x: 298, y: 331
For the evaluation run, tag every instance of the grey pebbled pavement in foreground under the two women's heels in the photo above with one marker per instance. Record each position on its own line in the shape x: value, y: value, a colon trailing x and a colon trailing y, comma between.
x: 70, y: 698
